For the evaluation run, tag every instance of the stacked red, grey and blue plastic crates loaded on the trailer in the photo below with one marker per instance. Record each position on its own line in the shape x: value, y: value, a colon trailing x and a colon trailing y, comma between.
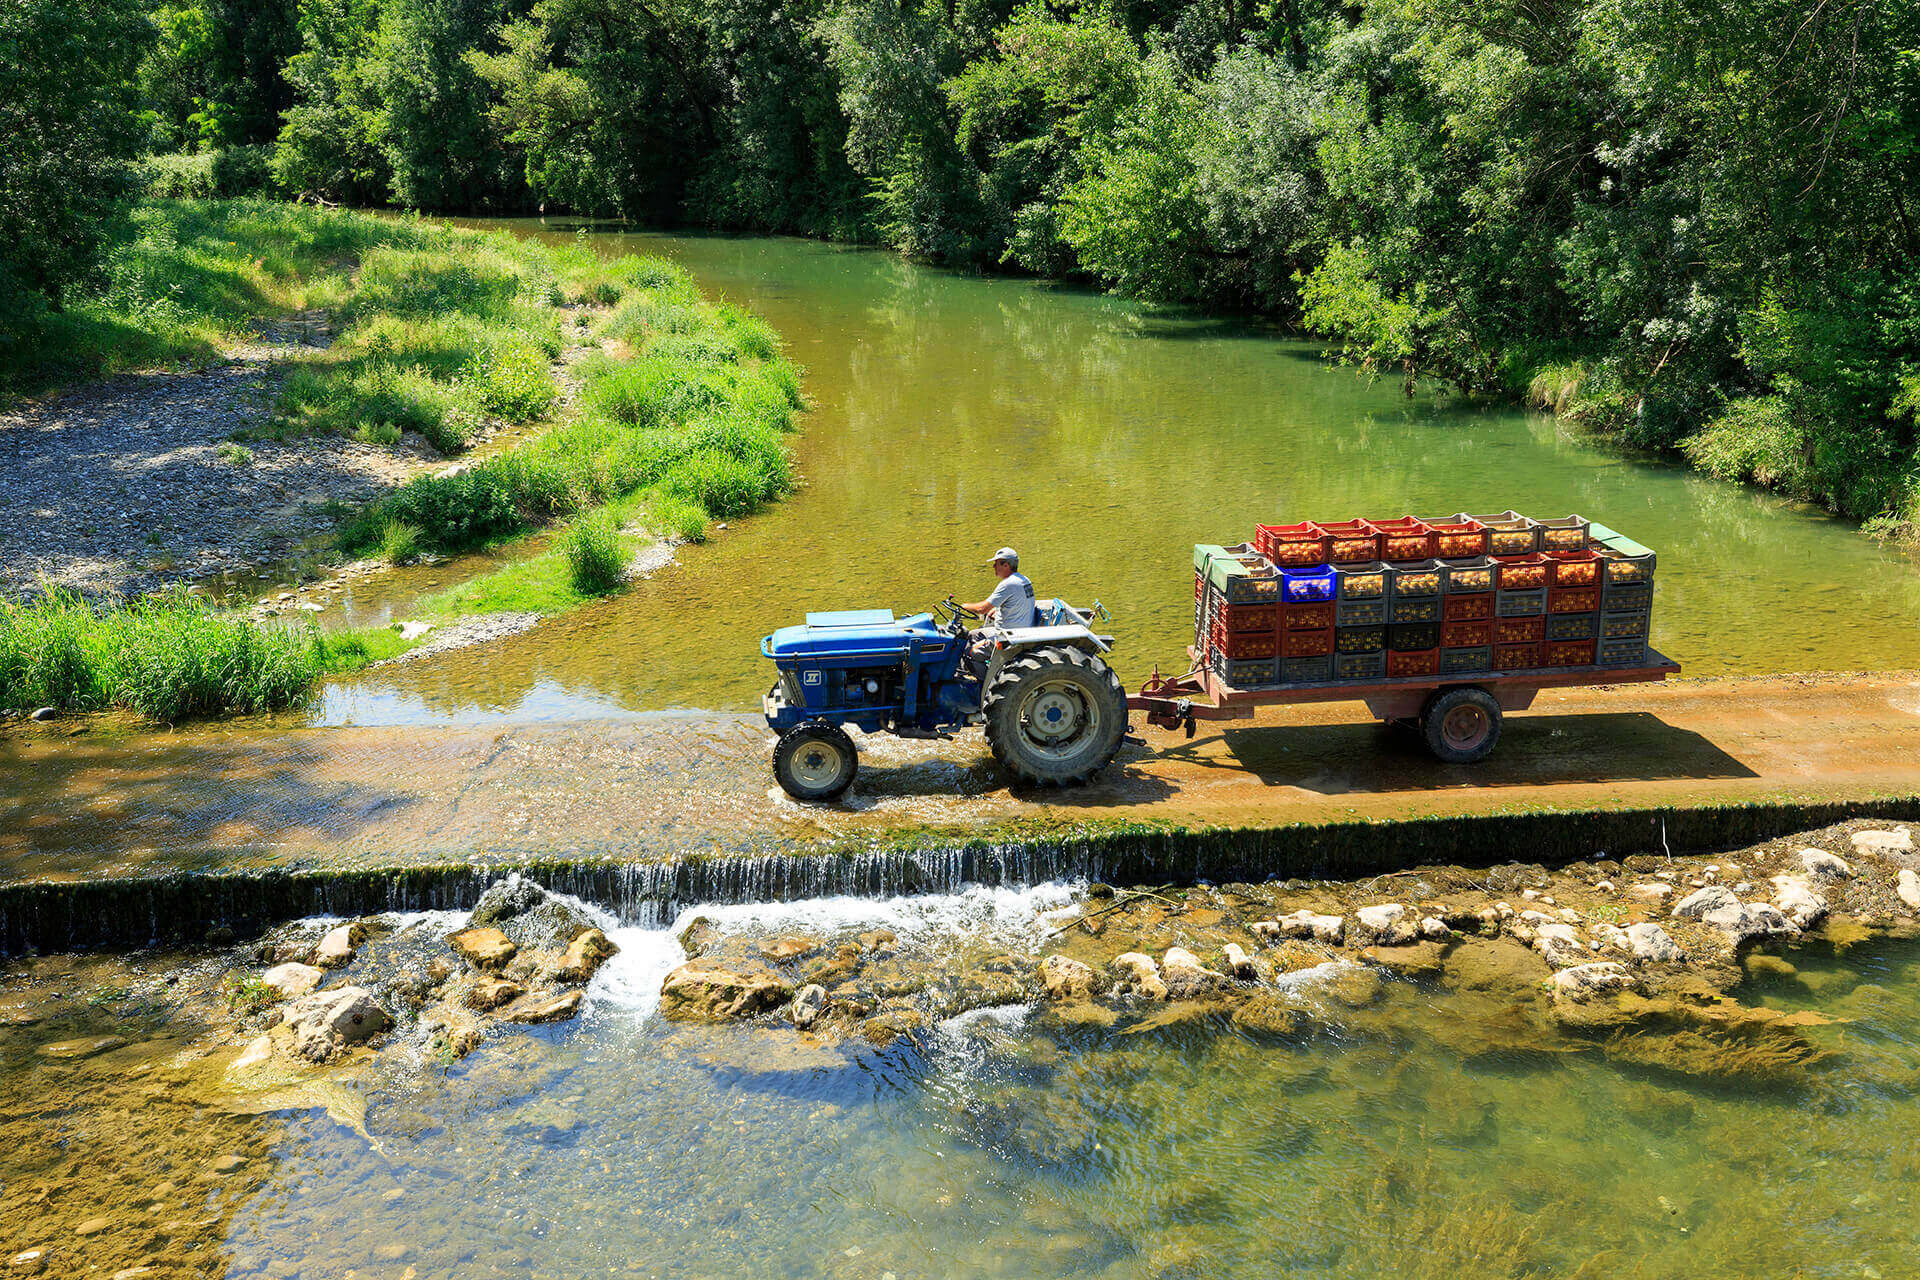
x: 1420, y: 598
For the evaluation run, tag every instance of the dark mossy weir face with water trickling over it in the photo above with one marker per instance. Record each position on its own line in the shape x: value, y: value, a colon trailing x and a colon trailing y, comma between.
x: 64, y: 916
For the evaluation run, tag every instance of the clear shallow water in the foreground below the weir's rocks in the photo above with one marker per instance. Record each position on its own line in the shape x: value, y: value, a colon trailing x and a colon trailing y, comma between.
x: 1011, y: 1145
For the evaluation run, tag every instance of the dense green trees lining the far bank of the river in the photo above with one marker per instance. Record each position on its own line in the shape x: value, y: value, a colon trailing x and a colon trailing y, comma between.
x: 1687, y: 224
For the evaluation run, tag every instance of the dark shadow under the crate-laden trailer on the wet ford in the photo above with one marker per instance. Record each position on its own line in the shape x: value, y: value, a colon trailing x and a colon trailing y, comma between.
x: 1535, y: 751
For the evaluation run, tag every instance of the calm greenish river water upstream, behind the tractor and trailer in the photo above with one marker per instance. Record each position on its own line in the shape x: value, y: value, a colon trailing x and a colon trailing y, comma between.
x: 1101, y: 439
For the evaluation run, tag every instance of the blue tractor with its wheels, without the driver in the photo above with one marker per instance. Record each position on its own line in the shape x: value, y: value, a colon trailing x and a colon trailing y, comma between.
x: 1053, y: 709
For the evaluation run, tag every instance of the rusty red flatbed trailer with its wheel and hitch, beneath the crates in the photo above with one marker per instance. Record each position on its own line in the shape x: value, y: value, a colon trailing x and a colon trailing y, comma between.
x: 1458, y: 719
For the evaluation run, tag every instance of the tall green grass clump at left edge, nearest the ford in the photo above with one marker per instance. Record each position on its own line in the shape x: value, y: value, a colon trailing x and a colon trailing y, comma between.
x: 166, y: 657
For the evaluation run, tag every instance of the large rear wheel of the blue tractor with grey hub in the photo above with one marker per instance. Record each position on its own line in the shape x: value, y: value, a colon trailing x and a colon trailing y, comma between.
x: 1055, y: 717
